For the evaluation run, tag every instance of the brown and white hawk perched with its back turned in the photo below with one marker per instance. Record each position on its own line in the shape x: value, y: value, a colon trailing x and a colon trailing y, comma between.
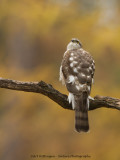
x: 76, y: 72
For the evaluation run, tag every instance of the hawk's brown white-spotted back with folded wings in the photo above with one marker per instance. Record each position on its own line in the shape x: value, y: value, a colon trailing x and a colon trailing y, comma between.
x: 78, y: 70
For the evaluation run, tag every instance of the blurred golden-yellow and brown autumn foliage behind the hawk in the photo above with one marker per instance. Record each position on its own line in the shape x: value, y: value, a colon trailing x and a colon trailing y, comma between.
x: 33, y: 37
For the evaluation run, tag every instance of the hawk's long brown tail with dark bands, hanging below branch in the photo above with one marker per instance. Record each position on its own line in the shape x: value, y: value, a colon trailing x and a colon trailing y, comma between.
x: 81, y: 112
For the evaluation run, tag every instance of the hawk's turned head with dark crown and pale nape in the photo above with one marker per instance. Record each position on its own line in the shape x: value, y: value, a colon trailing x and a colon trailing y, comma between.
x: 74, y: 44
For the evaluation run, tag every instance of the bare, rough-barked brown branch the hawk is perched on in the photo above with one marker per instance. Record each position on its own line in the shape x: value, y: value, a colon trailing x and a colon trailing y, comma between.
x: 56, y: 96
